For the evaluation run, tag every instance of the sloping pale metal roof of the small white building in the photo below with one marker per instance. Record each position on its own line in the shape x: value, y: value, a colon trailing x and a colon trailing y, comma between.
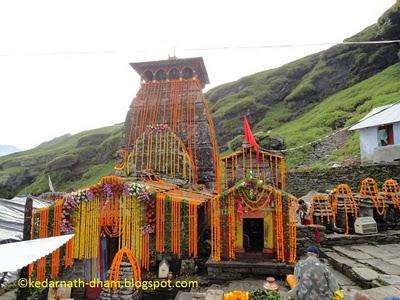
x: 382, y: 115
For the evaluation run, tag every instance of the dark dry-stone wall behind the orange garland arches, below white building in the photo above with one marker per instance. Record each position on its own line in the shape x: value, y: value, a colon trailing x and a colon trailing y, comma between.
x: 300, y: 183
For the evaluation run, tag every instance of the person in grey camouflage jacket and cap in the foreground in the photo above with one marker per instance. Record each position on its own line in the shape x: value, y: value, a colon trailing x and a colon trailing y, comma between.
x: 313, y: 280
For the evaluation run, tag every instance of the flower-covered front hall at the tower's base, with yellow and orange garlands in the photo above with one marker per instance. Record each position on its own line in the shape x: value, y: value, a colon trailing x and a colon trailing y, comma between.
x: 140, y: 218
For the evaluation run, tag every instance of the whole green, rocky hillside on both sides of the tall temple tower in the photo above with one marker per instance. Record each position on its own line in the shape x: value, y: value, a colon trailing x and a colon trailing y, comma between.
x: 299, y: 102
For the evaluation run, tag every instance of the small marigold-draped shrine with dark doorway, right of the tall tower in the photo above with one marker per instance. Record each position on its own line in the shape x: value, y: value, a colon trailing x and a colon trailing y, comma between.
x: 253, y: 214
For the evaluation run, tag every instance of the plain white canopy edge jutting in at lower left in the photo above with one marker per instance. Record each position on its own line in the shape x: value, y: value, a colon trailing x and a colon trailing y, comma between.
x: 14, y: 256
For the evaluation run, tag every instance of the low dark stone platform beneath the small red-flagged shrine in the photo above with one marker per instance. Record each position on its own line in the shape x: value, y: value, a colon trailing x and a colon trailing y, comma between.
x: 232, y: 270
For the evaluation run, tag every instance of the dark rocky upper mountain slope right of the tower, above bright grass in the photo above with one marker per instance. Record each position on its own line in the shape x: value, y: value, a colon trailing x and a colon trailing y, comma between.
x: 274, y: 97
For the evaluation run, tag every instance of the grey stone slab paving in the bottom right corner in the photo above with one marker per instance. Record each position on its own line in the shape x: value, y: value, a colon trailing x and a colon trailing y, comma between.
x: 376, y: 268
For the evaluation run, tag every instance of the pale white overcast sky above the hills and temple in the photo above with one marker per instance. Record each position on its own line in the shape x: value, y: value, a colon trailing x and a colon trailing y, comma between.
x: 64, y: 64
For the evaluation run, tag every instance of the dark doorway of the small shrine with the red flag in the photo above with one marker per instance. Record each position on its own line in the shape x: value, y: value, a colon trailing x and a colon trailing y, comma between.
x: 253, y: 234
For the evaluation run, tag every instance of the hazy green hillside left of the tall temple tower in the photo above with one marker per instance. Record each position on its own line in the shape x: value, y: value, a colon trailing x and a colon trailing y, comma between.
x: 72, y: 161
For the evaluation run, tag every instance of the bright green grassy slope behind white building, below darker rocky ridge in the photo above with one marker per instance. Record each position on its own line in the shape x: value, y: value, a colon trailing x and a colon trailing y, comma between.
x: 337, y: 111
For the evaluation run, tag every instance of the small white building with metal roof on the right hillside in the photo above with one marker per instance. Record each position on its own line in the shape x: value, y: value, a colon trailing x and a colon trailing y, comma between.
x: 380, y: 135
